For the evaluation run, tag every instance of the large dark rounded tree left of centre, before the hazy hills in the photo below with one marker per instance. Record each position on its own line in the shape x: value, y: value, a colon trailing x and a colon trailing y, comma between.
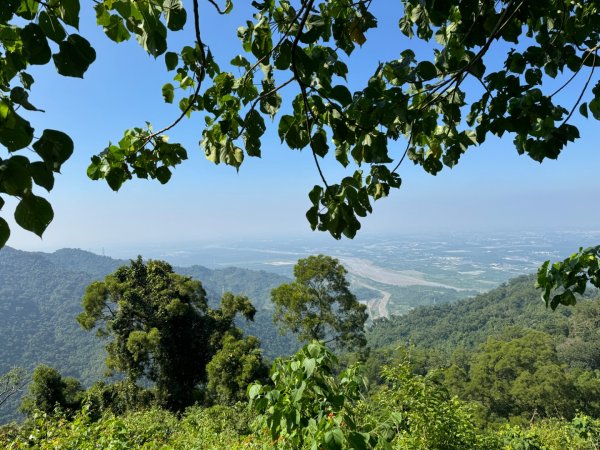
x: 160, y: 328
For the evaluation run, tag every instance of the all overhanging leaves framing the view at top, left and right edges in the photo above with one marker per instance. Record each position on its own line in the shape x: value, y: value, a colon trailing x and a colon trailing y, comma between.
x: 304, y: 48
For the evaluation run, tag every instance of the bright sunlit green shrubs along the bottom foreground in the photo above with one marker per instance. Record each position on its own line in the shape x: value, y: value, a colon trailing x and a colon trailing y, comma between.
x: 307, y: 405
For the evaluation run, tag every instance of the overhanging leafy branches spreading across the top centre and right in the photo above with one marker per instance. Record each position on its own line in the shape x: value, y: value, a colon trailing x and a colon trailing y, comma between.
x: 439, y: 106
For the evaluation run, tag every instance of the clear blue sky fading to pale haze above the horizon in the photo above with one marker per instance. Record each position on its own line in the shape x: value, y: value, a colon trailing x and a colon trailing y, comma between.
x: 492, y: 189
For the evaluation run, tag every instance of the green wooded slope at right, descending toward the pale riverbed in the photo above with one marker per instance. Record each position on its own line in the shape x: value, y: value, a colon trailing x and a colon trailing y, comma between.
x: 501, y: 351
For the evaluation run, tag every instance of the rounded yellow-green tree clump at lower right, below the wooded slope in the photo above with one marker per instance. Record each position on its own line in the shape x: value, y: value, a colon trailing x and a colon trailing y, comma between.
x: 521, y: 377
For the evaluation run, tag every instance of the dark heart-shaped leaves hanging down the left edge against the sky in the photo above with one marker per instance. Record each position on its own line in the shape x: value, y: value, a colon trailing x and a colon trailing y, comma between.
x: 34, y: 33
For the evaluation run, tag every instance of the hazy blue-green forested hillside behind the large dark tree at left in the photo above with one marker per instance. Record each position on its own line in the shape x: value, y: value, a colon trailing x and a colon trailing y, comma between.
x: 40, y: 297
